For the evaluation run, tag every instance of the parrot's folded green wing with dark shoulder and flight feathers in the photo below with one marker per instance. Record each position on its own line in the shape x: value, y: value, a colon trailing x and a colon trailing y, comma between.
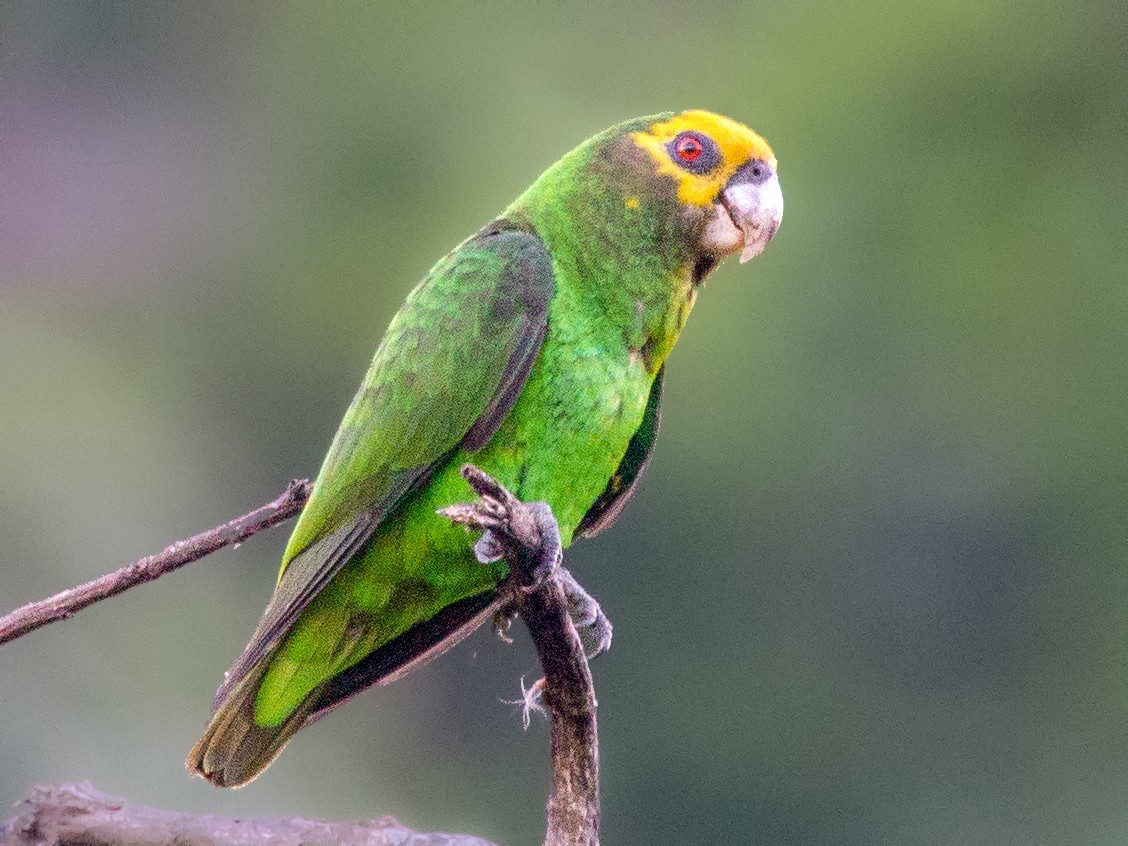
x: 448, y: 372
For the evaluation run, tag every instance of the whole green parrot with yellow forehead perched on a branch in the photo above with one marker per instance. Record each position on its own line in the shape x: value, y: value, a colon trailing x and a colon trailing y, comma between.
x: 534, y: 350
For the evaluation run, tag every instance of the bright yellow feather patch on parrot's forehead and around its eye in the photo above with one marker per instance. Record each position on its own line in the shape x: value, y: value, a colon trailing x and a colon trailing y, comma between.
x: 737, y: 144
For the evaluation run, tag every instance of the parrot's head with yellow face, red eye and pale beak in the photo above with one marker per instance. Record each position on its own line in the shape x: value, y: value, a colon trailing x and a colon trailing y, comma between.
x: 659, y: 198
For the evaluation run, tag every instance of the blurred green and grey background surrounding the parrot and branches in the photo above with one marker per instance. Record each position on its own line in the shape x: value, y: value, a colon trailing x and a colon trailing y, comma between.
x: 874, y: 587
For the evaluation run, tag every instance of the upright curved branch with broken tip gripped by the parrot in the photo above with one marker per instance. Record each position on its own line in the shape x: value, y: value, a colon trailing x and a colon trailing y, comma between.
x: 515, y: 534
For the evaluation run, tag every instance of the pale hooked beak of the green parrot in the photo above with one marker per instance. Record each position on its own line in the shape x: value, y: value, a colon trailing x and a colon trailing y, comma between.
x: 747, y: 214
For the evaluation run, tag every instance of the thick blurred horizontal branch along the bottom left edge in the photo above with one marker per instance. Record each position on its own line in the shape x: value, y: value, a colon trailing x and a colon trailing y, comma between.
x: 77, y: 814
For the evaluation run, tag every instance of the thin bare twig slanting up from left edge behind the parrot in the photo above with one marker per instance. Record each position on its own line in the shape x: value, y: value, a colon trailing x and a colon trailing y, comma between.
x: 61, y: 606
